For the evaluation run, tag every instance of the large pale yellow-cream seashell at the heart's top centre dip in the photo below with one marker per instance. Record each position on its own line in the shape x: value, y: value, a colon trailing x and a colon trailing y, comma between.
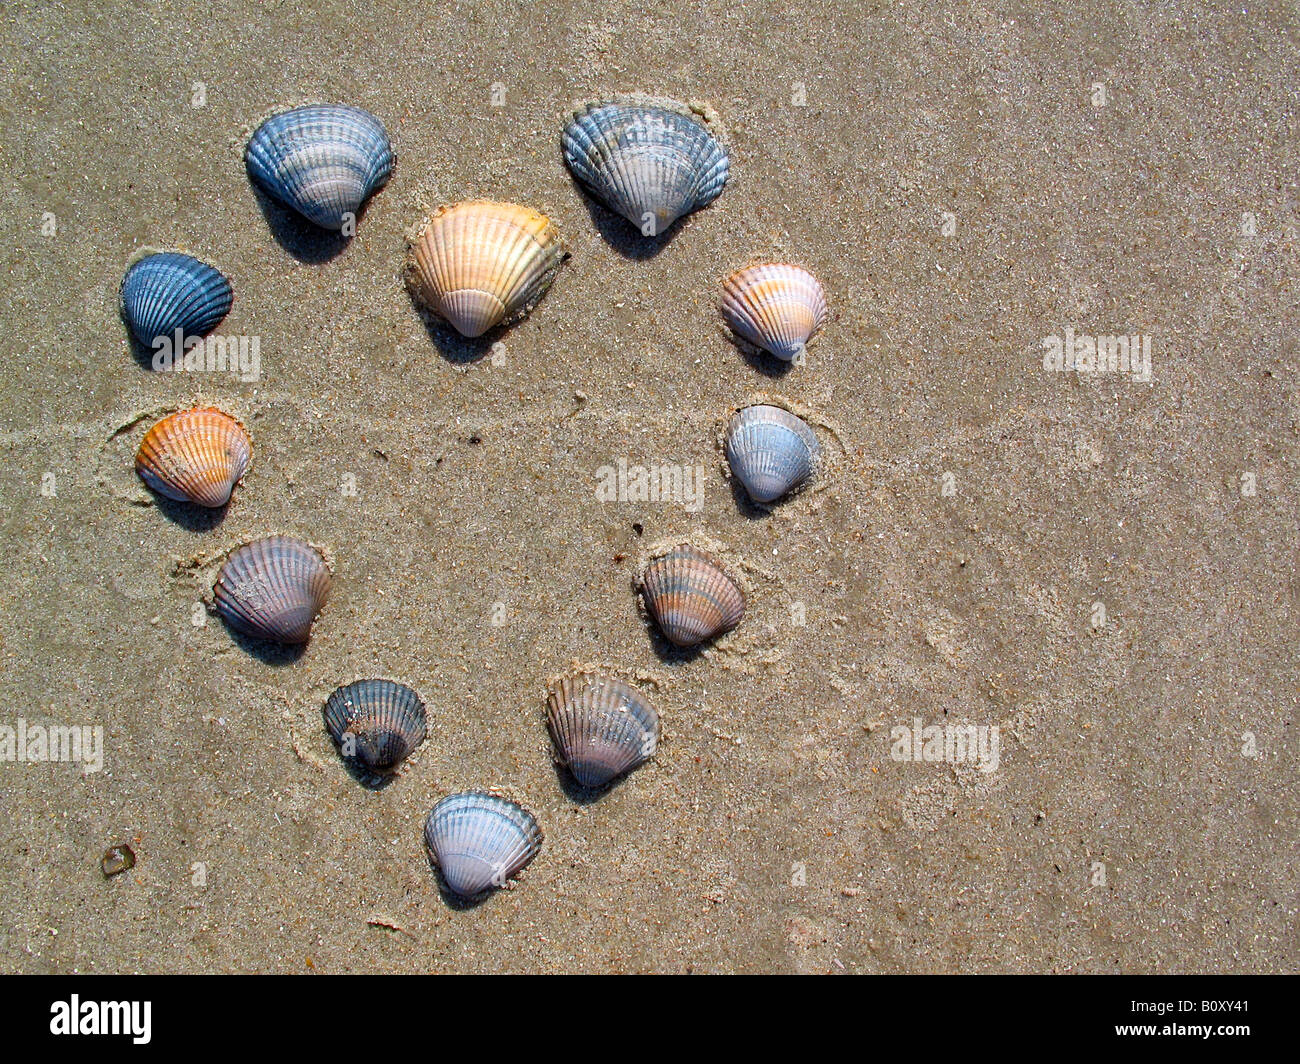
x: 480, y: 263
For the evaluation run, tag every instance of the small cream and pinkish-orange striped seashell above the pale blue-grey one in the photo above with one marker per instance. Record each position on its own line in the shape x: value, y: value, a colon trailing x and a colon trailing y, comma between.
x: 775, y: 306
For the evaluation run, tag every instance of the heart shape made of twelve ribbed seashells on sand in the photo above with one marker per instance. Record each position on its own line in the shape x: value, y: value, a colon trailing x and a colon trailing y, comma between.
x: 480, y: 266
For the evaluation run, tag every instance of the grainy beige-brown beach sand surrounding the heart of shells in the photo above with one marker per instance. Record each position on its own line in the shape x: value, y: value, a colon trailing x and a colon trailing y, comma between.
x: 1143, y: 814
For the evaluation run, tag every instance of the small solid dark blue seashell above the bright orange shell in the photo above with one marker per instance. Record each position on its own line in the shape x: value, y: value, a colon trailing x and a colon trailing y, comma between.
x: 170, y: 292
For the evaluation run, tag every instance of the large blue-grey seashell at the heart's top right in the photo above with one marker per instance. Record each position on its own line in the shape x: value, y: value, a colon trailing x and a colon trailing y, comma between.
x: 651, y: 165
